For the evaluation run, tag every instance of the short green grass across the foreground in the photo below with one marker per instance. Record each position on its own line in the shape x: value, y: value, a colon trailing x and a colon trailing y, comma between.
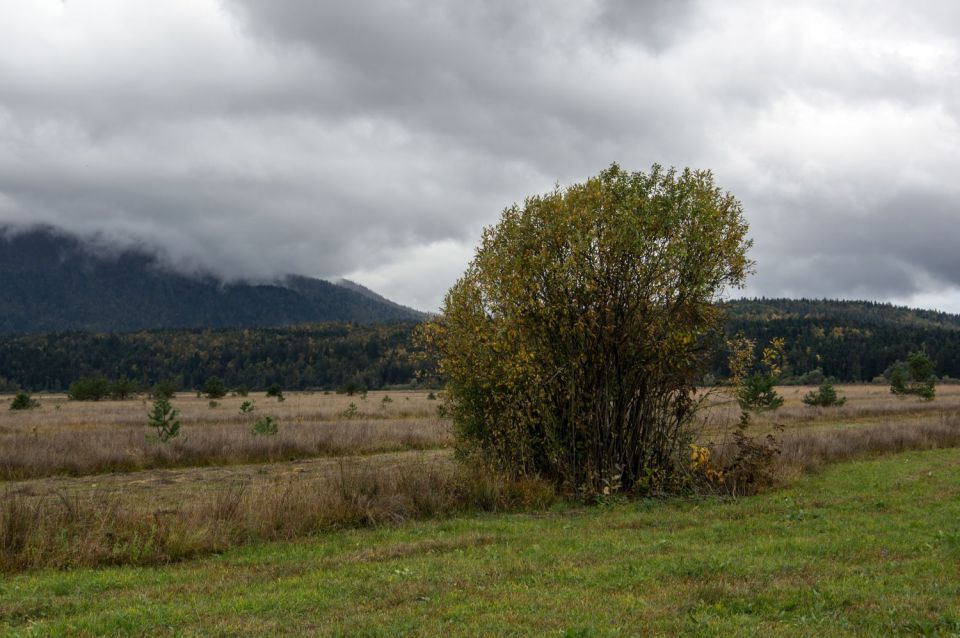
x: 869, y: 548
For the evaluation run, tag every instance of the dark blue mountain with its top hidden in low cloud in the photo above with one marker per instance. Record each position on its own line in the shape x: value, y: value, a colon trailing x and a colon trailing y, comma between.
x: 55, y: 282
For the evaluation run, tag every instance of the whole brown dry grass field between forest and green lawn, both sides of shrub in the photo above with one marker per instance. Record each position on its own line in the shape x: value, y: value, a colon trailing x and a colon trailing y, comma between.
x: 88, y: 471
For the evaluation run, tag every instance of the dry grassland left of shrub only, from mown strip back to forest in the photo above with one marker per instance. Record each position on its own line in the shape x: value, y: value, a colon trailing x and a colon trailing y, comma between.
x: 79, y: 438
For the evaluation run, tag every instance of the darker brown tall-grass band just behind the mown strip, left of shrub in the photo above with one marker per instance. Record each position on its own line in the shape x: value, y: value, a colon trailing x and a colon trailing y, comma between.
x: 26, y: 454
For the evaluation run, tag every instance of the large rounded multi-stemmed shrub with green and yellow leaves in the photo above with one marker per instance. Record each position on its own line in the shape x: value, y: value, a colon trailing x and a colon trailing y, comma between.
x: 572, y: 342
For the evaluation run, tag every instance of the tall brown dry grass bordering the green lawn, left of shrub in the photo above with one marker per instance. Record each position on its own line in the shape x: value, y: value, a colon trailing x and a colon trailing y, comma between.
x: 106, y: 528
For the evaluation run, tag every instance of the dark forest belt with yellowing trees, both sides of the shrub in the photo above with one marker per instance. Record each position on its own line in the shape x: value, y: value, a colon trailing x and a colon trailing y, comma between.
x: 852, y: 341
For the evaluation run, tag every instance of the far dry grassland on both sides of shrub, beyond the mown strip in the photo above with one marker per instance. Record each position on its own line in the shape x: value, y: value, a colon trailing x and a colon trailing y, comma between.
x: 78, y: 438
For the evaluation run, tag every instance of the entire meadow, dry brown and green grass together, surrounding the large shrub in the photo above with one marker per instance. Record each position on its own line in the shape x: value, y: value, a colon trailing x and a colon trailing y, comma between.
x: 363, y: 494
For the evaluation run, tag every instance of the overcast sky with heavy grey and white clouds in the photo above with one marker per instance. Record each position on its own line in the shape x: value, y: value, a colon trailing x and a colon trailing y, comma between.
x: 374, y: 140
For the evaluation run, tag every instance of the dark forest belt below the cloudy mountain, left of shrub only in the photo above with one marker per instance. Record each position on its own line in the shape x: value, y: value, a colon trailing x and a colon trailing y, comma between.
x: 312, y: 356
